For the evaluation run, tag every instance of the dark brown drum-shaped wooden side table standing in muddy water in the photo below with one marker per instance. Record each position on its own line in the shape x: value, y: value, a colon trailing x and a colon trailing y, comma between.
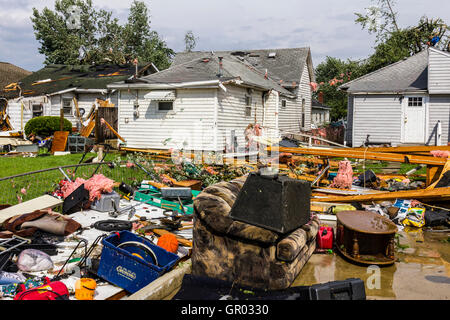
x: 366, y: 237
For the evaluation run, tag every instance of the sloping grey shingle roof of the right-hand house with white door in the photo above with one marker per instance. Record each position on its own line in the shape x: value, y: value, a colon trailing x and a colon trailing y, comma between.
x: 410, y: 74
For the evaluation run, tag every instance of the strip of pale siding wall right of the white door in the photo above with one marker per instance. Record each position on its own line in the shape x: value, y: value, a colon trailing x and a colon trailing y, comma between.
x: 439, y: 109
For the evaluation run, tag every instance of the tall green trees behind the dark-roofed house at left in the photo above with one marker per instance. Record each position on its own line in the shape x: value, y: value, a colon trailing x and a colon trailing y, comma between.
x: 93, y: 36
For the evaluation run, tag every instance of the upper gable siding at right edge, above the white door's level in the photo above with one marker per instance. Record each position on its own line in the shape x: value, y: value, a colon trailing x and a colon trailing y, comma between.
x: 439, y: 72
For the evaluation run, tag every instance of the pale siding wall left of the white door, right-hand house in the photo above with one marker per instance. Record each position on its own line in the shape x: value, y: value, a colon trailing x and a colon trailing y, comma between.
x: 378, y: 116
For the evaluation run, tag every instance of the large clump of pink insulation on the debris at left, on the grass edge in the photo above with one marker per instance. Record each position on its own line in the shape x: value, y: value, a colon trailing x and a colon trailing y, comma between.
x: 96, y: 185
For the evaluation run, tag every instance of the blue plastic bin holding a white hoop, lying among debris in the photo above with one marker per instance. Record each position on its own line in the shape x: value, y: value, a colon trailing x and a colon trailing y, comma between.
x: 129, y: 268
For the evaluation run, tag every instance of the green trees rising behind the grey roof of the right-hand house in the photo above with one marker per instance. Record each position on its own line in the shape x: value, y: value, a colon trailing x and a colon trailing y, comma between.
x: 392, y: 44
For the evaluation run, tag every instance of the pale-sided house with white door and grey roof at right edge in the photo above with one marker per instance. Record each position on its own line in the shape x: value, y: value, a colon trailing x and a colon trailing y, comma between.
x: 407, y: 102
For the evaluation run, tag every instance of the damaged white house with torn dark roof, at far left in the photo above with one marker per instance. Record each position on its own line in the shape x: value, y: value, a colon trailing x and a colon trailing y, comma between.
x: 54, y: 87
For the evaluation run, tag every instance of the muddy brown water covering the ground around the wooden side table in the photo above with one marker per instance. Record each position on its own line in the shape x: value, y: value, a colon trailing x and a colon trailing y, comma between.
x: 421, y: 272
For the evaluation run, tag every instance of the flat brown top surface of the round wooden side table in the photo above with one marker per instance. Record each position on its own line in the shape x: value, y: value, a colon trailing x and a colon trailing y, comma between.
x: 366, y: 222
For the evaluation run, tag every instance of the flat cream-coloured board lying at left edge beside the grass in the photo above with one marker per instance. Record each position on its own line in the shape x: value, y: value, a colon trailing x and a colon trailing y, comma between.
x: 39, y: 203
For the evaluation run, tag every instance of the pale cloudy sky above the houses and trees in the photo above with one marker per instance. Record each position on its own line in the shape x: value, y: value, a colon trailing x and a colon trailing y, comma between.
x: 326, y: 26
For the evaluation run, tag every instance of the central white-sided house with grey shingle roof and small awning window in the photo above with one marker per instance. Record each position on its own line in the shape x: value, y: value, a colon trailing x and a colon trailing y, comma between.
x: 206, y: 100
